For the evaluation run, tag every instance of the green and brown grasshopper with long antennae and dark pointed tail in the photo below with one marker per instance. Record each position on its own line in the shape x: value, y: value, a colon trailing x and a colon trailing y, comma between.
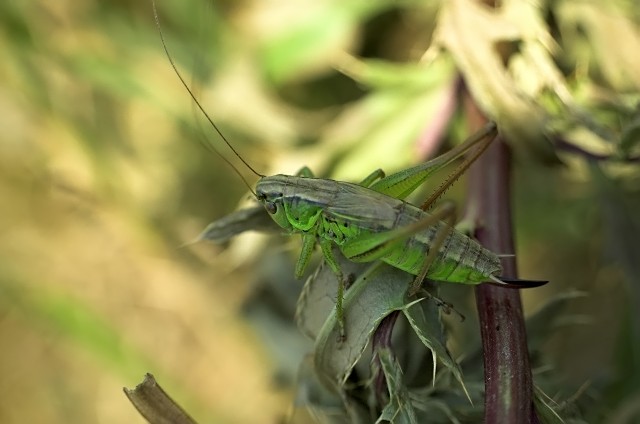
x: 371, y: 221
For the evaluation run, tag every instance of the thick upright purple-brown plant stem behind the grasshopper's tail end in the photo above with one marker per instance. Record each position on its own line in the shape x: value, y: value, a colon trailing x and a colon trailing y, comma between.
x: 508, y: 381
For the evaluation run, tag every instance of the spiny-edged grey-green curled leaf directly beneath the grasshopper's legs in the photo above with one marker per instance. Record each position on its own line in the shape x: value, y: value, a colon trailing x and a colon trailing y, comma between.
x: 378, y: 290
